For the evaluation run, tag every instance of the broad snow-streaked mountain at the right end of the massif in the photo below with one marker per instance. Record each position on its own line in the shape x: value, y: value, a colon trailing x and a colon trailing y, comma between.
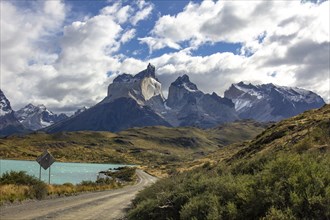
x: 269, y: 102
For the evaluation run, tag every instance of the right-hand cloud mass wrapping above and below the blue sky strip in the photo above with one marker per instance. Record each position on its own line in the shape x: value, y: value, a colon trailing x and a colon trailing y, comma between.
x: 280, y: 45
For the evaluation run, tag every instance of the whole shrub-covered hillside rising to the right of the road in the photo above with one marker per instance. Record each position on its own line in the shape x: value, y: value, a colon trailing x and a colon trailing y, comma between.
x: 283, y: 173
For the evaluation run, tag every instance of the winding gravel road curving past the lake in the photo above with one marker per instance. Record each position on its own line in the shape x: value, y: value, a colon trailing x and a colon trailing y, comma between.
x: 97, y: 205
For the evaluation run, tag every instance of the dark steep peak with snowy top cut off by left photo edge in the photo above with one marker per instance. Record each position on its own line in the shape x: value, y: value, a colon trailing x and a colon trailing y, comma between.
x: 8, y: 122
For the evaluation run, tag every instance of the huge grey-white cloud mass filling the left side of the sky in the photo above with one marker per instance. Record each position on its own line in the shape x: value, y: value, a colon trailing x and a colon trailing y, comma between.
x: 62, y: 66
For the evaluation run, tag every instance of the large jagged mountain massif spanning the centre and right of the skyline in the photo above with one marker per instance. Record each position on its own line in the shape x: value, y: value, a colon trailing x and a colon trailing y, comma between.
x: 137, y: 101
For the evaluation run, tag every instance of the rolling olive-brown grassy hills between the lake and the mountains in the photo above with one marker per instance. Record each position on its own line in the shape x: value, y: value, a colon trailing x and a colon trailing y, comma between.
x: 159, y: 148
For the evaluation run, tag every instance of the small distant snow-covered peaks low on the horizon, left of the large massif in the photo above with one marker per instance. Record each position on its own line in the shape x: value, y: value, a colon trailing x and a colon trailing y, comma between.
x: 37, y: 117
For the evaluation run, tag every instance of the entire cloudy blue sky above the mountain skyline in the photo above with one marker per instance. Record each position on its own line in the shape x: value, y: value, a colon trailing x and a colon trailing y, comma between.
x: 64, y: 54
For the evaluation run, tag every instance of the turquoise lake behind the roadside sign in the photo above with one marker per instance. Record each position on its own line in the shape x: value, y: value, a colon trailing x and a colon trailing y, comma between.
x: 60, y: 172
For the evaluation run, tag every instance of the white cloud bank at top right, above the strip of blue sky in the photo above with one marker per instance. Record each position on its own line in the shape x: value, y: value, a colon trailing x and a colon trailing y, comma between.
x: 238, y: 21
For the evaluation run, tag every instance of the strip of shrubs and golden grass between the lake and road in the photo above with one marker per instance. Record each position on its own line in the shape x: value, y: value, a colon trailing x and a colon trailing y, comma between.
x: 19, y: 186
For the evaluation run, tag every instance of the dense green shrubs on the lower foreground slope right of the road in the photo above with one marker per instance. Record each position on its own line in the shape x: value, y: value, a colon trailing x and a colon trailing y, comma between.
x: 284, y: 186
